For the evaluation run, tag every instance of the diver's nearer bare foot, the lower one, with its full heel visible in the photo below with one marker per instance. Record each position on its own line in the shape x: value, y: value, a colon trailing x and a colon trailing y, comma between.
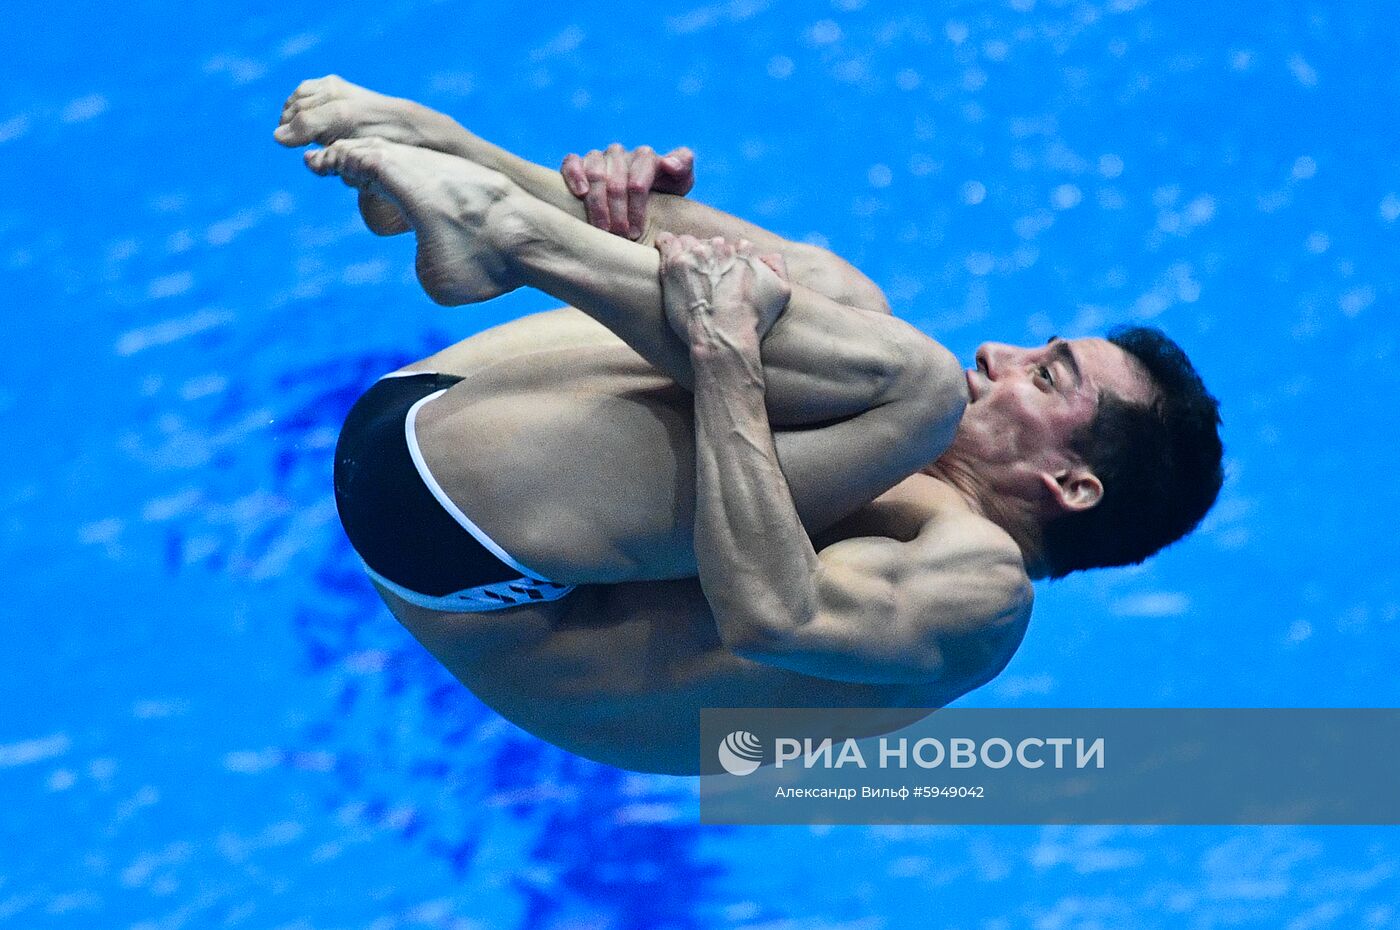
x: 460, y: 211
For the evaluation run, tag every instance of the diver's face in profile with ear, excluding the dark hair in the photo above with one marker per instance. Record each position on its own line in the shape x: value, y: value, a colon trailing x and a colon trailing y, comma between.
x: 1025, y: 408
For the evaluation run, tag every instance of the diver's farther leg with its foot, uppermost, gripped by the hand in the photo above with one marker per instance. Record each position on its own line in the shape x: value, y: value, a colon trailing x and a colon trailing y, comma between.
x: 330, y: 109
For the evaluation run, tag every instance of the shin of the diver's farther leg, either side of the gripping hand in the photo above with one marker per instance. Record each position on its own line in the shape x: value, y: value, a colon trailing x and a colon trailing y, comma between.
x: 814, y: 268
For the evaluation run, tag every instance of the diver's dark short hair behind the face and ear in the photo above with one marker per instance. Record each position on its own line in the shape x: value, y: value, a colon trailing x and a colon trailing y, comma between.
x: 1160, y: 464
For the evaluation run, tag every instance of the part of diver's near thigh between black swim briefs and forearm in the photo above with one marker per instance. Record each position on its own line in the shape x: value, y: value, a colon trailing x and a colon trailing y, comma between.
x: 577, y: 463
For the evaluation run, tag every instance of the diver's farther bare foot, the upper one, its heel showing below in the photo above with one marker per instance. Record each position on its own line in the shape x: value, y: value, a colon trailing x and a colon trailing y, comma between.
x: 327, y: 110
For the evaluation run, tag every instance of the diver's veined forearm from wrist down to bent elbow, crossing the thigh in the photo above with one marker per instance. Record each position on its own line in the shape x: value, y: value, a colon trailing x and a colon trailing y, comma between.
x: 757, y: 565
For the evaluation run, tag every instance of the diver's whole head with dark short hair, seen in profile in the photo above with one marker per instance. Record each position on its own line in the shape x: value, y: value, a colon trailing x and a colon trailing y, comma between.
x: 1102, y: 450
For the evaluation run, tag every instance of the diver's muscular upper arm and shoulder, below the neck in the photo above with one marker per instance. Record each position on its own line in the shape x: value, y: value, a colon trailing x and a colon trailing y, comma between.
x: 941, y: 607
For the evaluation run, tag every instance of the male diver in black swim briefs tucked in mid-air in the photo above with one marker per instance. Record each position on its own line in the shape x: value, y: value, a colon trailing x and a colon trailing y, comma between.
x: 726, y: 477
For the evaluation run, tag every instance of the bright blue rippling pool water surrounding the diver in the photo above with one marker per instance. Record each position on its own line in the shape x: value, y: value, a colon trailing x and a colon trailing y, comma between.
x: 206, y: 721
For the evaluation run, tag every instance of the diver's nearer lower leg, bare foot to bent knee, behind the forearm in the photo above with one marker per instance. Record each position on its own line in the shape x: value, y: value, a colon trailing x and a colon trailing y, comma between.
x: 479, y: 236
